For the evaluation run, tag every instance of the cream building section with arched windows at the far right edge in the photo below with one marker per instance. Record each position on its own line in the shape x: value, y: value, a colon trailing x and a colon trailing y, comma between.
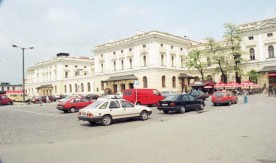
x: 259, y: 43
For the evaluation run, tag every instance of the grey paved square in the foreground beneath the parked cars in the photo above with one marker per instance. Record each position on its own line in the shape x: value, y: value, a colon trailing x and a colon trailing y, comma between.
x: 237, y: 133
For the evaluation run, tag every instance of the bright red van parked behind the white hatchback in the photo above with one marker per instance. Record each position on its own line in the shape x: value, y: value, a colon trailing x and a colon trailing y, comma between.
x: 142, y: 96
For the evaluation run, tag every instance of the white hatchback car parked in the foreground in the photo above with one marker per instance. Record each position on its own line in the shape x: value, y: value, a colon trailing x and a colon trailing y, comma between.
x: 106, y: 110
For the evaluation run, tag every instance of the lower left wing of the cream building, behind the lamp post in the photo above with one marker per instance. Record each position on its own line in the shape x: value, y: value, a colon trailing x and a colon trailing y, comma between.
x: 62, y: 75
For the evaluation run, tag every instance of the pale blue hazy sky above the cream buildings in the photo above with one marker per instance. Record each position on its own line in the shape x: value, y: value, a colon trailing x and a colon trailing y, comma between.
x: 77, y: 26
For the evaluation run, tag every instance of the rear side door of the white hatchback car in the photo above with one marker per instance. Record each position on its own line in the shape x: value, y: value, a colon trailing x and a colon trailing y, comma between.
x: 116, y: 110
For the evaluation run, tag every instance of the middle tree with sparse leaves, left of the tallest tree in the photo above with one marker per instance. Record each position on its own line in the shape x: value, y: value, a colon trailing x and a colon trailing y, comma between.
x: 219, y: 57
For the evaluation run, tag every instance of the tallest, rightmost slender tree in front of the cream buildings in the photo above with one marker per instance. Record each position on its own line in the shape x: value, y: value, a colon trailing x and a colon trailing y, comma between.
x: 232, y: 38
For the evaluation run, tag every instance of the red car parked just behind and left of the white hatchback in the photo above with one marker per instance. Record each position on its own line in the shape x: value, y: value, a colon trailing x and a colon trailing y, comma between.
x: 73, y: 104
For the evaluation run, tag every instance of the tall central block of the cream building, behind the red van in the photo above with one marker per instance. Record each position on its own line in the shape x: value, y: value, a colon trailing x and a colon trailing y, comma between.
x: 146, y: 60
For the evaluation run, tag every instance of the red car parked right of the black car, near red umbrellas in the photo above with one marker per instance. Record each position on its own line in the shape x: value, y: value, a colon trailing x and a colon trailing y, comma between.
x: 224, y: 97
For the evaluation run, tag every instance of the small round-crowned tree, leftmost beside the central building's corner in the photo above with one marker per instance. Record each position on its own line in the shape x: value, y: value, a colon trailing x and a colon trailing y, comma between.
x: 196, y: 60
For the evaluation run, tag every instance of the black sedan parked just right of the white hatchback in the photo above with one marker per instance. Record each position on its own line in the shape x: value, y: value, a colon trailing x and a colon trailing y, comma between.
x: 180, y: 103
